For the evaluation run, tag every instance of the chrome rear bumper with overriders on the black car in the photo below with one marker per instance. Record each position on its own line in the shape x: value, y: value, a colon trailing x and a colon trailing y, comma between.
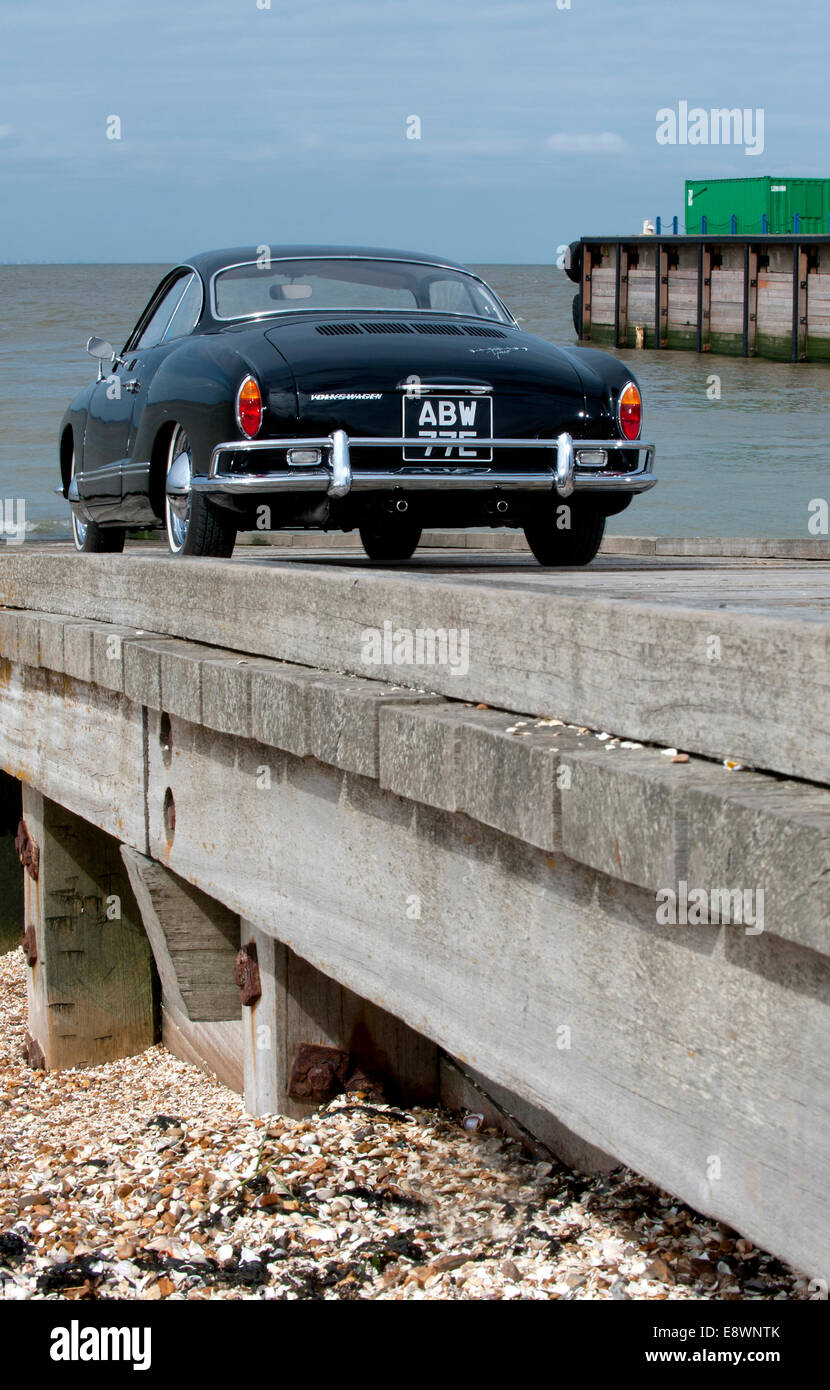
x: 336, y: 477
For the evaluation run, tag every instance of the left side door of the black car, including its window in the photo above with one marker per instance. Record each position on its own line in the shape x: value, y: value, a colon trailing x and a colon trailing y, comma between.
x: 111, y: 419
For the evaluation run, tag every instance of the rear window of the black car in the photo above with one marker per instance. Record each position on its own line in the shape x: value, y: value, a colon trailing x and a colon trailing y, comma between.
x: 326, y: 283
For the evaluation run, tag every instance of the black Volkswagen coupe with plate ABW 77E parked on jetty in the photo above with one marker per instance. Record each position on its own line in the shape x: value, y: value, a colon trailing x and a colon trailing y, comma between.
x: 339, y: 389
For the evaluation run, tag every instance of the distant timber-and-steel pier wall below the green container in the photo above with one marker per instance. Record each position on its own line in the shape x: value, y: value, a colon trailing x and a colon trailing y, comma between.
x: 753, y: 297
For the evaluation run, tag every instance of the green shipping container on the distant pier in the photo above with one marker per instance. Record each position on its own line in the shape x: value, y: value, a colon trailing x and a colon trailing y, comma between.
x: 789, y: 205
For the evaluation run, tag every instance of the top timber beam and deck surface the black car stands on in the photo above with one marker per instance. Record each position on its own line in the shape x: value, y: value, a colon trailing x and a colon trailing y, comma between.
x: 722, y: 658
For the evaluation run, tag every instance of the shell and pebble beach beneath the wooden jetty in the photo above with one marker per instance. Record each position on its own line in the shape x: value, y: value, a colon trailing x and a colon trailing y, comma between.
x: 156, y: 1185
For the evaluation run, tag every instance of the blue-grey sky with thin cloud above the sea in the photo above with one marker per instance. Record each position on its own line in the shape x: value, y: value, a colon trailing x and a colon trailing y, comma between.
x: 245, y: 123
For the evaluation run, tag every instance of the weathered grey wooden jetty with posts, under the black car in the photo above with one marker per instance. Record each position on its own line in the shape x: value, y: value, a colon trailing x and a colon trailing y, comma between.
x: 325, y: 868
